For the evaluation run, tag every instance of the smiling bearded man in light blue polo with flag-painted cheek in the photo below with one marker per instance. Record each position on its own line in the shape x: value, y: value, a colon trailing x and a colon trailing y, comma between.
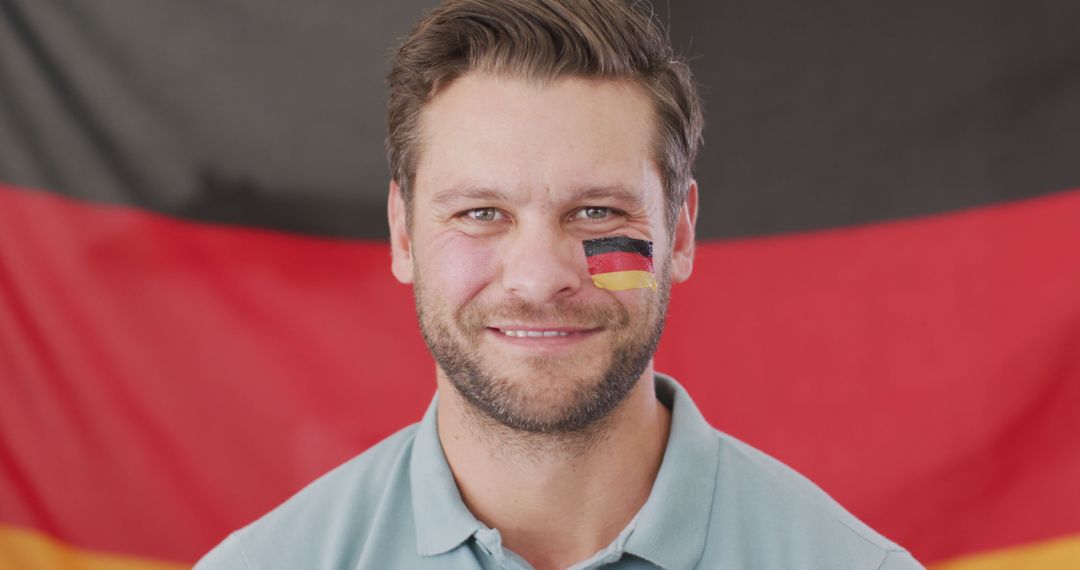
x: 542, y: 207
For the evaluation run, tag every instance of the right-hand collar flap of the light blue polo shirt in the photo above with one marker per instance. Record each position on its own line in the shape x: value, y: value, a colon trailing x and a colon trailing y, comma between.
x: 673, y: 524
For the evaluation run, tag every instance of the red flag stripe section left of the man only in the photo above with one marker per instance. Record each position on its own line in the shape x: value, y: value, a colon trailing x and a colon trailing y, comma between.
x: 152, y: 367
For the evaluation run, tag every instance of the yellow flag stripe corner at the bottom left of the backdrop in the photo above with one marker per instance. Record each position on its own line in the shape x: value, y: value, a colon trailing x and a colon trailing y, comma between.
x: 29, y: 550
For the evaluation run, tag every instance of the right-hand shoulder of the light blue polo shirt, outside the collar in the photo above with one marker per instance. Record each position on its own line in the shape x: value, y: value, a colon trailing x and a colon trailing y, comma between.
x: 787, y: 520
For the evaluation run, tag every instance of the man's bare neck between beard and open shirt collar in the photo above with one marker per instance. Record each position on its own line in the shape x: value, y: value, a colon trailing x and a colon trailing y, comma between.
x: 556, y: 499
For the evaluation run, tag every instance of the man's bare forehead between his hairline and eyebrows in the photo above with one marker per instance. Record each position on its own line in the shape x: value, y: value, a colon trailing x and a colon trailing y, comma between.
x: 573, y: 137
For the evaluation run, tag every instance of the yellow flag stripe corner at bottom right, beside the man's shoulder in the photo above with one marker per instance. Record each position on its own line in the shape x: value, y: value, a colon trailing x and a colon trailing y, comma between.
x: 1059, y: 554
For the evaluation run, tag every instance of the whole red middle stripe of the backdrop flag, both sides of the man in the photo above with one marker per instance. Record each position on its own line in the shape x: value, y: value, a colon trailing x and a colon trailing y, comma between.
x: 923, y: 371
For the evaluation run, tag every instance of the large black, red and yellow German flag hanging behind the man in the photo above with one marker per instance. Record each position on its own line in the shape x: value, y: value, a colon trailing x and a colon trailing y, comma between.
x: 197, y: 315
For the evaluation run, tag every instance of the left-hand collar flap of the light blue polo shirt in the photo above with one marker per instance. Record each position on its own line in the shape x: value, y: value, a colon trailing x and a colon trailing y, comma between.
x: 442, y: 520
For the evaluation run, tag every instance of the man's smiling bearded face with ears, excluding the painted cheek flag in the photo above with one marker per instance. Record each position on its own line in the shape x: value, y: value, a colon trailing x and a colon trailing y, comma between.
x: 512, y: 177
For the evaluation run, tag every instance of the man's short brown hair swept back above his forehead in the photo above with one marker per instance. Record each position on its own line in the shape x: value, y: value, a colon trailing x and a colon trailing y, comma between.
x: 546, y: 39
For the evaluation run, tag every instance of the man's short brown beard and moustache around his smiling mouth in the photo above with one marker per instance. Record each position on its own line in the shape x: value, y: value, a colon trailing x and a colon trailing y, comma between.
x: 562, y: 395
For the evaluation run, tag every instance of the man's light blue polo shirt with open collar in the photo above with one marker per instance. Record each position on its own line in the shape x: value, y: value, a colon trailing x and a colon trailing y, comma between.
x: 718, y: 504
